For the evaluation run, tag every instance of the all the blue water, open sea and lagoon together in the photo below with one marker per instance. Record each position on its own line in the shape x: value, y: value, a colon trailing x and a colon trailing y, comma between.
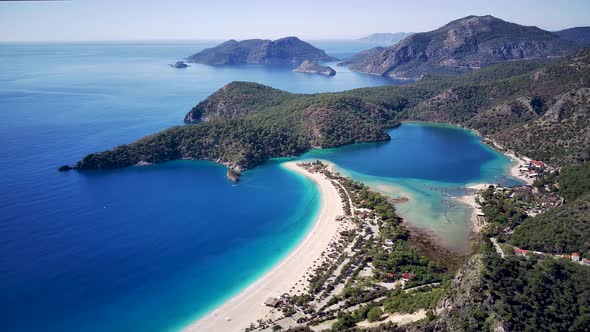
x: 153, y: 248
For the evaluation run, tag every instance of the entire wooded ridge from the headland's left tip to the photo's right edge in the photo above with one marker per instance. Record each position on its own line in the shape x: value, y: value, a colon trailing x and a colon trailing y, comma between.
x: 521, y: 104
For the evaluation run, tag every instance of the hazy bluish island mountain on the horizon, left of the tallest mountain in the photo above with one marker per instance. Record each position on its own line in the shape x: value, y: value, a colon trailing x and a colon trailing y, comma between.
x: 289, y: 51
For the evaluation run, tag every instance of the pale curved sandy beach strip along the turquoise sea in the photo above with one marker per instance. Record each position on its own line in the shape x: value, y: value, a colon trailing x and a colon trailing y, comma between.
x: 286, y: 277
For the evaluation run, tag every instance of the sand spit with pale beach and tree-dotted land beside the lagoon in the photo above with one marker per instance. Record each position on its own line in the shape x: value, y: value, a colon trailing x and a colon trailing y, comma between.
x: 357, y: 253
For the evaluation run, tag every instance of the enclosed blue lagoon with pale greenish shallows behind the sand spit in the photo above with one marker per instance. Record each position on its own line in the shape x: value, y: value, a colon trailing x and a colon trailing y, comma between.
x: 431, y: 165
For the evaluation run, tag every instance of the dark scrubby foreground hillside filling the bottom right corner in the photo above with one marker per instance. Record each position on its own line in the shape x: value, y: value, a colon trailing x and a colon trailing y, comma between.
x: 513, y: 294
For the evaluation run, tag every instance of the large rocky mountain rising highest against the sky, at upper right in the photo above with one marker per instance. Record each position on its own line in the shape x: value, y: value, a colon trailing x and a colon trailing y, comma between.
x: 469, y: 43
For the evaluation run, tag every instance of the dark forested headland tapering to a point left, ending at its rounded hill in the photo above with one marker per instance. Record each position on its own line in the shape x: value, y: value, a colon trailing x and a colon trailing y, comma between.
x: 244, y: 124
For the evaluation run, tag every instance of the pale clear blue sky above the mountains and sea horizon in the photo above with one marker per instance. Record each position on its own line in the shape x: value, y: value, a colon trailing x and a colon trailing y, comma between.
x: 240, y: 19
